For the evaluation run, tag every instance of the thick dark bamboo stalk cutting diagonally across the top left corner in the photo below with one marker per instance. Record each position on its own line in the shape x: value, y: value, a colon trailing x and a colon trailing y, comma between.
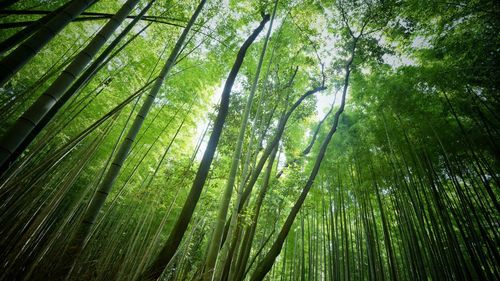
x: 12, y: 63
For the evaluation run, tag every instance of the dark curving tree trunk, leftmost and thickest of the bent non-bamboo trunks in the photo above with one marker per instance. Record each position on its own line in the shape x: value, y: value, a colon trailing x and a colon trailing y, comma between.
x: 170, y: 247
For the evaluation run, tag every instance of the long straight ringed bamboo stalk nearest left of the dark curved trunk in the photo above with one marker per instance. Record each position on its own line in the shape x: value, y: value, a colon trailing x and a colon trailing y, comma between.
x: 104, y: 189
